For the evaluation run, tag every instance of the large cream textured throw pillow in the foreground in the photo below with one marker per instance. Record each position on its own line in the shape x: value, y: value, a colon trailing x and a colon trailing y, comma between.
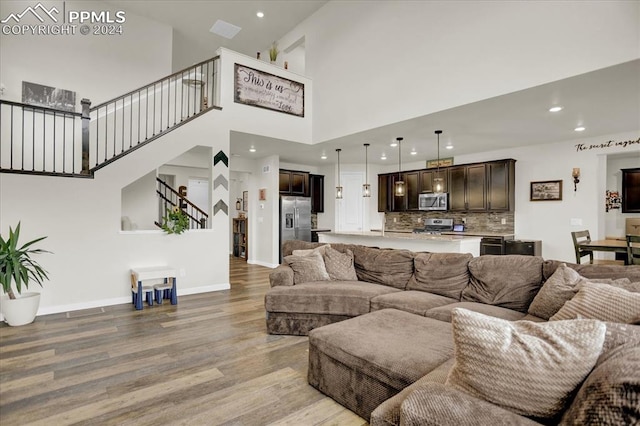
x: 529, y: 368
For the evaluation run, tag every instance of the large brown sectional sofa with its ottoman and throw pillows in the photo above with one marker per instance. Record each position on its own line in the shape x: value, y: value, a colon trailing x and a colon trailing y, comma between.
x: 392, y: 335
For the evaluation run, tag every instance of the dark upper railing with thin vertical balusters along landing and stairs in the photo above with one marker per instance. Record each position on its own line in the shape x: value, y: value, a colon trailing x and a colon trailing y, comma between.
x: 48, y: 141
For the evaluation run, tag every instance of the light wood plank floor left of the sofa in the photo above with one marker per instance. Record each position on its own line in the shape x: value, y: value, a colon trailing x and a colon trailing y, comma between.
x: 206, y: 361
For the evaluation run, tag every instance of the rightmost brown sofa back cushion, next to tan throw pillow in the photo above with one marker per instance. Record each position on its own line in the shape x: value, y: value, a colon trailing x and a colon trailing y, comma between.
x: 508, y: 281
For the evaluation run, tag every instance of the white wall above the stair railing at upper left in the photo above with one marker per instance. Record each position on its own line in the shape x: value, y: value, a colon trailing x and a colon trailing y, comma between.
x: 95, y: 67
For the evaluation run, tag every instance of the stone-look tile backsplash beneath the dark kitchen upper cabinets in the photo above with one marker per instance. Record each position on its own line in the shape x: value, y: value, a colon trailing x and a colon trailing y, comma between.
x: 475, y: 221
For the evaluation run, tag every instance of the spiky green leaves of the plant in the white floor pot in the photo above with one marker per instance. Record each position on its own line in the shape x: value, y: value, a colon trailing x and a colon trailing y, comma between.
x: 16, y: 263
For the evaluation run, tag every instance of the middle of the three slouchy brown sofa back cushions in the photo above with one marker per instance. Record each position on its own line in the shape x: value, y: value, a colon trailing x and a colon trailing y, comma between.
x: 446, y: 274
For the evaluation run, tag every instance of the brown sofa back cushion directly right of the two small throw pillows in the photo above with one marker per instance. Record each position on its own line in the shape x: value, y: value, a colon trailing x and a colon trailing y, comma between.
x: 392, y: 267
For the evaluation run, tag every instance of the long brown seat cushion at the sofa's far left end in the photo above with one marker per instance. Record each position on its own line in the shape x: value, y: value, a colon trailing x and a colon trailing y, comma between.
x: 325, y: 297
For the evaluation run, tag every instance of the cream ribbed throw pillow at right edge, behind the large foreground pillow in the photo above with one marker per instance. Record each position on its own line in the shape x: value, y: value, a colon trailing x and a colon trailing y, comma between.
x: 601, y: 301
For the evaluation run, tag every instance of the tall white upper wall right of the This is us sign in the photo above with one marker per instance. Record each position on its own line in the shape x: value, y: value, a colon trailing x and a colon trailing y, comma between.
x: 386, y: 61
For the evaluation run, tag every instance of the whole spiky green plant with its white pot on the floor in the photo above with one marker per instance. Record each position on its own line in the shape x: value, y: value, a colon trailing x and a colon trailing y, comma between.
x: 16, y: 265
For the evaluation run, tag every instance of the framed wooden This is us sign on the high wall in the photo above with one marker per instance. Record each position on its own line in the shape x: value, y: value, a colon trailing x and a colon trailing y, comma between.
x: 264, y: 90
